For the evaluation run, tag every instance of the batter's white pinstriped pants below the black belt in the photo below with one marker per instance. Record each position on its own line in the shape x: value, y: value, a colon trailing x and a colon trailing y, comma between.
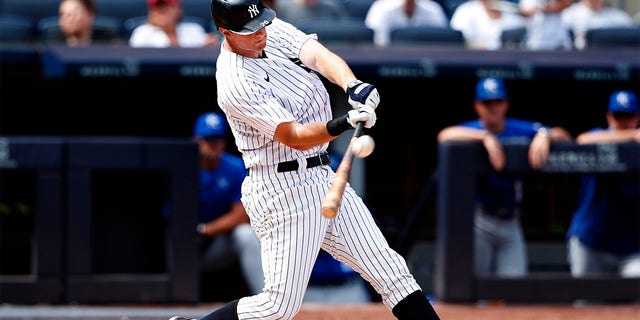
x: 285, y: 212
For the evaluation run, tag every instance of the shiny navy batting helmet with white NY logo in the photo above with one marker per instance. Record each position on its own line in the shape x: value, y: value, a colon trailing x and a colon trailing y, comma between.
x: 241, y: 16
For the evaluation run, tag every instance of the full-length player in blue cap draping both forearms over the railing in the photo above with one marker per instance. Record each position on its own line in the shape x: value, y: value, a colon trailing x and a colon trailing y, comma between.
x: 499, y: 245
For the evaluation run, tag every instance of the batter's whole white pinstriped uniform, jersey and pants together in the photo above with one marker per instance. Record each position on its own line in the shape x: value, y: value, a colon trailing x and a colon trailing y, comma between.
x: 257, y: 94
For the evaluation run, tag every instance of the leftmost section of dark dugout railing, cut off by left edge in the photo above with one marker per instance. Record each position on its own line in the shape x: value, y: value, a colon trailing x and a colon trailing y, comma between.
x: 38, y: 166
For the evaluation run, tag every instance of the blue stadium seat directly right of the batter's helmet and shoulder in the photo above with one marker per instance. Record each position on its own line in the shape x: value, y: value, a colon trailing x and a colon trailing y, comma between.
x: 349, y: 31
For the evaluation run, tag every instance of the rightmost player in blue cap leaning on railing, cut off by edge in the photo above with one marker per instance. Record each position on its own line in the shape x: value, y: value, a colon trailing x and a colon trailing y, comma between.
x: 604, y: 235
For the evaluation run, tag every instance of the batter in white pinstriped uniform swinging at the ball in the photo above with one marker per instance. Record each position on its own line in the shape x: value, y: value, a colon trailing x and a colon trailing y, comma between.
x: 269, y: 87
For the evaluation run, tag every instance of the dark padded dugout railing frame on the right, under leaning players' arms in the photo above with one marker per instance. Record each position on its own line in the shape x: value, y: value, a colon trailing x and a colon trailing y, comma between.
x: 454, y: 279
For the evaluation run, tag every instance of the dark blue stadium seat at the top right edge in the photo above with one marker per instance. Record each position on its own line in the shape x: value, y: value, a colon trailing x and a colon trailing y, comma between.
x: 613, y: 37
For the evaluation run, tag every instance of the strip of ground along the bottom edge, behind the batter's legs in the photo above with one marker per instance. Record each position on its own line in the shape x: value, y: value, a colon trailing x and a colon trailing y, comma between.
x: 310, y: 311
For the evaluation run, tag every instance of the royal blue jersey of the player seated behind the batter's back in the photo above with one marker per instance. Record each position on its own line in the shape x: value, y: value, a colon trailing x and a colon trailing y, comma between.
x: 220, y: 187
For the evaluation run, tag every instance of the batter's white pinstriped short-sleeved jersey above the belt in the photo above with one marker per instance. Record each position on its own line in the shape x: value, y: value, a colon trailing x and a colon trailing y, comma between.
x: 258, y: 94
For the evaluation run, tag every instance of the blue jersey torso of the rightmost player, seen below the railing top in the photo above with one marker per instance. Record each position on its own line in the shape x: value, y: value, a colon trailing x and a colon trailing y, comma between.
x: 608, y: 213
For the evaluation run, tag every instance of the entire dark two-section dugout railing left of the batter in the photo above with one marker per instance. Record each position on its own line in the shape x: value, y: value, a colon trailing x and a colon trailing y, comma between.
x: 110, y: 217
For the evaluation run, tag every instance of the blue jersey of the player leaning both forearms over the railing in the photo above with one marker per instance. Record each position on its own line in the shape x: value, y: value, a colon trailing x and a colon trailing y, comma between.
x: 494, y: 188
